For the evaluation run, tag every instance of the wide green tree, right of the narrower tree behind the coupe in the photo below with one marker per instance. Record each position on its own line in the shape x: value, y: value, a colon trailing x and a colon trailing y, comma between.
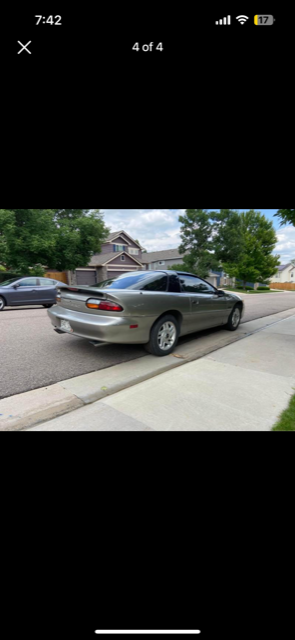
x: 256, y: 262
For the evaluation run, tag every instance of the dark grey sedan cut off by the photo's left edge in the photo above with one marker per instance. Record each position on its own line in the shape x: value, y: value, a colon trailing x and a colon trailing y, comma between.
x: 25, y: 291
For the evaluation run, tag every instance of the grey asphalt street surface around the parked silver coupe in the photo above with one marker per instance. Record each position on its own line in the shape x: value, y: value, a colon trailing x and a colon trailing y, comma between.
x: 34, y: 356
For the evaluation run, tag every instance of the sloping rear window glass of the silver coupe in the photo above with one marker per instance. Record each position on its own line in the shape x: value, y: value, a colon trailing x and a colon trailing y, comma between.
x: 140, y: 281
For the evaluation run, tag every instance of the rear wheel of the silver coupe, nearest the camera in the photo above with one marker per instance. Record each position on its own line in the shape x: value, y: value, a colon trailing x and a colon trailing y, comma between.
x: 168, y: 326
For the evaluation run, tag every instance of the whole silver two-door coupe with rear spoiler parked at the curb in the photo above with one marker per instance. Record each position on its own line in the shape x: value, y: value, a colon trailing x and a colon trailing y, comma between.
x: 152, y: 308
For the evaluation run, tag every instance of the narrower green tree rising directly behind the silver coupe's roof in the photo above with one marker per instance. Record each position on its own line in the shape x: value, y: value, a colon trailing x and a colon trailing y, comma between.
x: 196, y: 243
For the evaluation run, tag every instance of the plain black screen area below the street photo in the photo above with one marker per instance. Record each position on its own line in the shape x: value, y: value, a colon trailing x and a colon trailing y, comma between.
x: 188, y: 530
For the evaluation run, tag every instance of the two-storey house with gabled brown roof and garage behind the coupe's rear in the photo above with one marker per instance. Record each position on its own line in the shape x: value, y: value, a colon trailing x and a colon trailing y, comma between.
x: 119, y: 254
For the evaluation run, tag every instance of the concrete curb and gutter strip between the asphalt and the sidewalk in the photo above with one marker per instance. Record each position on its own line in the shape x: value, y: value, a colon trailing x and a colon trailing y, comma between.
x: 31, y: 408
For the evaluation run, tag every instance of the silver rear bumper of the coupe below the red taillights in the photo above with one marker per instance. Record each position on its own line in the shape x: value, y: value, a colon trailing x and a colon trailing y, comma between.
x: 112, y: 329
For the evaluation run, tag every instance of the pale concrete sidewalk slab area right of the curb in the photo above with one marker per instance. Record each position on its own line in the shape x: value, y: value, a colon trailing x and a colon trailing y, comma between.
x: 242, y: 386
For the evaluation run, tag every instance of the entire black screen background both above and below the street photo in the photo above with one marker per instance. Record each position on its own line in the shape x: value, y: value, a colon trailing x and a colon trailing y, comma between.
x: 190, y: 530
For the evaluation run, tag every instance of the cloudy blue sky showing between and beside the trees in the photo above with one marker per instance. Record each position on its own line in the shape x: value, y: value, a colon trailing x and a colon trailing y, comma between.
x: 158, y: 229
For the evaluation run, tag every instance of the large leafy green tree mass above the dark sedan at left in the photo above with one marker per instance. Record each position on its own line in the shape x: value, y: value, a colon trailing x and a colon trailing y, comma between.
x: 56, y: 238
